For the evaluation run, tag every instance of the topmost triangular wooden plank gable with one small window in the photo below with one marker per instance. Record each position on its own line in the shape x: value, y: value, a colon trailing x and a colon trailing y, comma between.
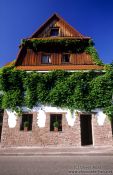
x: 56, y: 22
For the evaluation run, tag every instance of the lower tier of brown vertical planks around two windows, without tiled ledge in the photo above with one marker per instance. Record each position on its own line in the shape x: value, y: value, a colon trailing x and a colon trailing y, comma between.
x: 30, y: 58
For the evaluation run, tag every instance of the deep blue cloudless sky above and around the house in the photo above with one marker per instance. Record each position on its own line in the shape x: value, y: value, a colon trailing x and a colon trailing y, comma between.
x: 20, y: 18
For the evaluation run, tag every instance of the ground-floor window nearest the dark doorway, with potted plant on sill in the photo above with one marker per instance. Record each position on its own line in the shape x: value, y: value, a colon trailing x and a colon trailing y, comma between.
x: 56, y: 118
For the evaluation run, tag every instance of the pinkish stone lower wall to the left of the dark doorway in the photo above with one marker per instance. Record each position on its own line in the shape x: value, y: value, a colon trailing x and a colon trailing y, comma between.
x: 69, y: 136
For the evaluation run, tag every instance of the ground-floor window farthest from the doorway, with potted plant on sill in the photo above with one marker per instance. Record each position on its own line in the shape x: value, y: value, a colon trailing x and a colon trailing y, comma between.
x: 26, y: 122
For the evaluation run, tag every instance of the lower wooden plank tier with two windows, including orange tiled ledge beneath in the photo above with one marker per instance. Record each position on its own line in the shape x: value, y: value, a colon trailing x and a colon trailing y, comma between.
x: 31, y: 61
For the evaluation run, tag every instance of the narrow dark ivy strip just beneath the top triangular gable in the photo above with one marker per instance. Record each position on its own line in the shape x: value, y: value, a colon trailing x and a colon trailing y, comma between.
x: 73, y: 45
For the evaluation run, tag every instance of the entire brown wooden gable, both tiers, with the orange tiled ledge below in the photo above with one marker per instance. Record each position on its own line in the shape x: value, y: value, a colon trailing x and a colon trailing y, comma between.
x: 28, y: 59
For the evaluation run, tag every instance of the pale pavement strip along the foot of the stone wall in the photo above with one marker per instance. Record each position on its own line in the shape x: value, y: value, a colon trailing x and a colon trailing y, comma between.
x: 56, y: 151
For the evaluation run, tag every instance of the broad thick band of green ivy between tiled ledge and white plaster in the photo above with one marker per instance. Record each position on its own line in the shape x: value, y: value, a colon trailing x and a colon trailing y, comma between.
x: 72, y: 90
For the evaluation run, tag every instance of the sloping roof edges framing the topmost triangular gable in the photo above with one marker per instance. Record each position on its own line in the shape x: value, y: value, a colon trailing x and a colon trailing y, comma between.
x: 55, y: 16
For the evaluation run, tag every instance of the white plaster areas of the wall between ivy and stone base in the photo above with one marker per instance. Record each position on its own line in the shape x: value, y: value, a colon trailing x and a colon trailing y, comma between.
x: 41, y: 115
